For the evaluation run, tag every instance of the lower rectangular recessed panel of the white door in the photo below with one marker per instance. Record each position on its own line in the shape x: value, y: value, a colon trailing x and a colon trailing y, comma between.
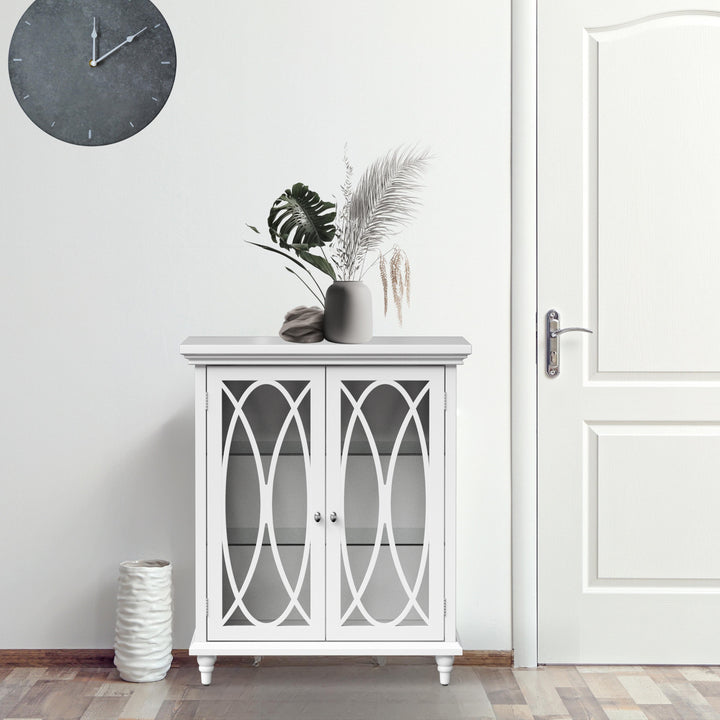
x: 633, y: 469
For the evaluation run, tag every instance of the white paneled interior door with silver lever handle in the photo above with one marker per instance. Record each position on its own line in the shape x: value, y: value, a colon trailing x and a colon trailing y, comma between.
x: 629, y: 246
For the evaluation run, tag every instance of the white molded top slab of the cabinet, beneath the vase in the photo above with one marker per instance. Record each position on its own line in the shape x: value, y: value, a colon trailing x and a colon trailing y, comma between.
x: 276, y: 351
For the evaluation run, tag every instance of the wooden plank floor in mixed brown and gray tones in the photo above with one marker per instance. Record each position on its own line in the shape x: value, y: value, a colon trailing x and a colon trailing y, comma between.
x: 364, y: 691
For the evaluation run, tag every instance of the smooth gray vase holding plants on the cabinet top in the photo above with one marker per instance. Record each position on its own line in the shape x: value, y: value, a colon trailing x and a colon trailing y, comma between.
x: 348, y: 312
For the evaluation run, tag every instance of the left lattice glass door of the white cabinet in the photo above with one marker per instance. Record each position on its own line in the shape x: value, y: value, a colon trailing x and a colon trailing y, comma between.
x: 265, y: 483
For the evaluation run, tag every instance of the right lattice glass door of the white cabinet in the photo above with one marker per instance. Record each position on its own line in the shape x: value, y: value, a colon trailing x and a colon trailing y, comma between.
x: 385, y: 490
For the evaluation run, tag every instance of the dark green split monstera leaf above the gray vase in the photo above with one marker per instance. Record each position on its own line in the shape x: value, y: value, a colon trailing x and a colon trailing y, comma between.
x: 299, y: 219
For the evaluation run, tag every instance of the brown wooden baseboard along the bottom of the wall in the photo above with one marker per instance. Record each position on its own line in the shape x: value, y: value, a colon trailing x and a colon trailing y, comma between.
x: 181, y: 658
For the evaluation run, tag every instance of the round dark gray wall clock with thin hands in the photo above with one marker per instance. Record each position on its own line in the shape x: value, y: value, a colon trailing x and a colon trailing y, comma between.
x: 92, y: 72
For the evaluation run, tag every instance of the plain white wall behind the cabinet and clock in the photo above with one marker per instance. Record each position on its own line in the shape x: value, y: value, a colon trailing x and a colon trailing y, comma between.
x: 110, y: 256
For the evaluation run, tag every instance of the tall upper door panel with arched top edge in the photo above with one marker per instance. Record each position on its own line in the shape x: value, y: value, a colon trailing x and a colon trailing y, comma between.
x: 631, y: 71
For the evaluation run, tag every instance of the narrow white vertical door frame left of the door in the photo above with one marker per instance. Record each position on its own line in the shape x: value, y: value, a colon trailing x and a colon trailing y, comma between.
x: 524, y: 353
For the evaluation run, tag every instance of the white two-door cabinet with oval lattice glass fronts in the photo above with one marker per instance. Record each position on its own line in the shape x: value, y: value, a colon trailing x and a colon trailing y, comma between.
x: 325, y: 498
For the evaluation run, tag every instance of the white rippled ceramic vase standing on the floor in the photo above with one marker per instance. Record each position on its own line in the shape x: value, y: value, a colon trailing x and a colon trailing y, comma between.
x: 143, y: 629
